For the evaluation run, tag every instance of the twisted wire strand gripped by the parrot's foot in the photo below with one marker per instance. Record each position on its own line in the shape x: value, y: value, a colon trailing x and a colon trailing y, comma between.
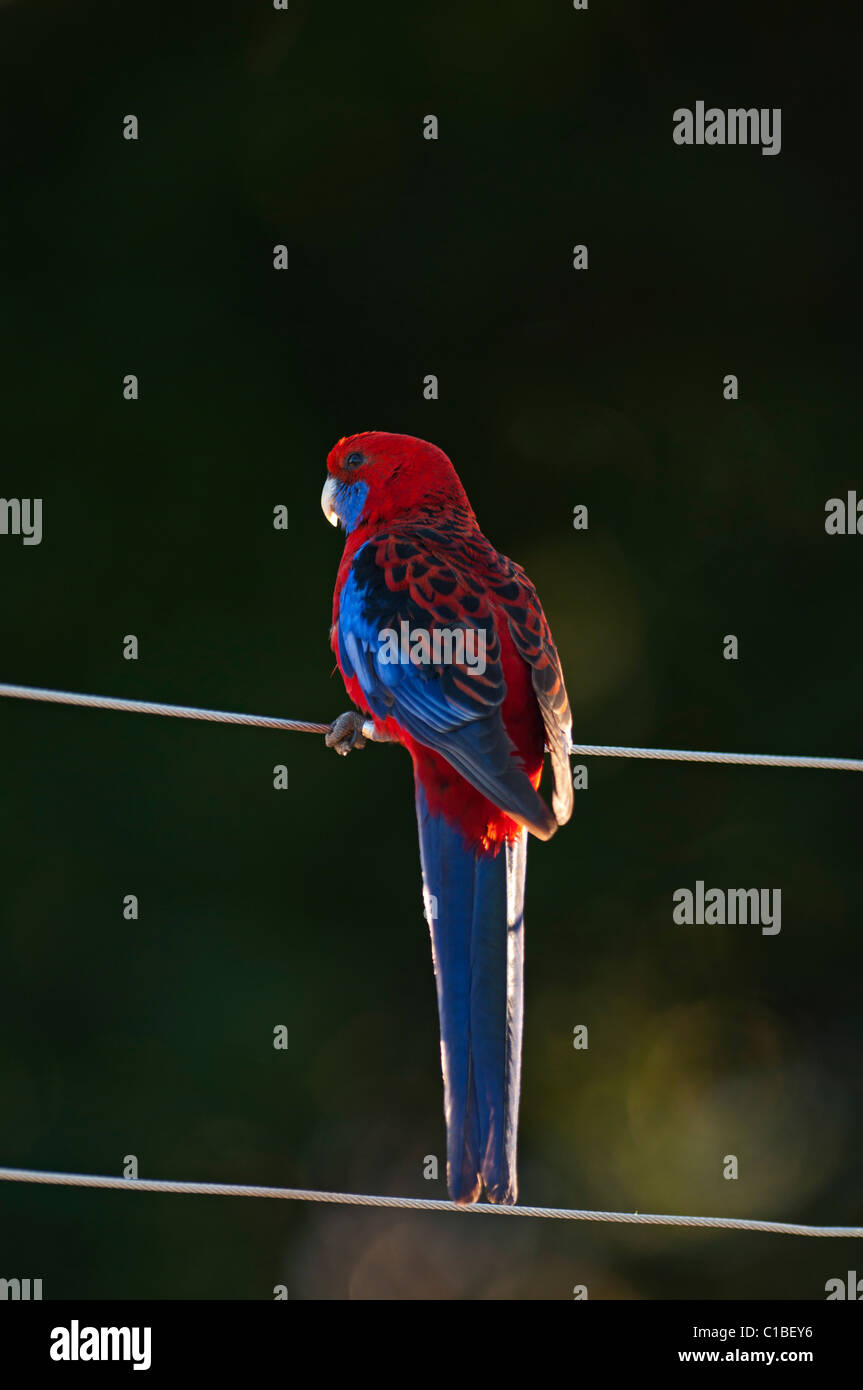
x: 301, y: 726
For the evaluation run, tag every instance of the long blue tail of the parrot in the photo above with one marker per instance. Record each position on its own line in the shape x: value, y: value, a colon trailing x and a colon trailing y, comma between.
x: 475, y: 904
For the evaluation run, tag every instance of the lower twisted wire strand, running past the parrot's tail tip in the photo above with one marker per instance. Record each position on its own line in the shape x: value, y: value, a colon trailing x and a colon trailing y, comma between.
x: 299, y: 1195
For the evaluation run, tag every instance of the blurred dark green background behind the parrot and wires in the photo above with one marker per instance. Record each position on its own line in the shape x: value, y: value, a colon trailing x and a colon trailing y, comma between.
x: 557, y: 389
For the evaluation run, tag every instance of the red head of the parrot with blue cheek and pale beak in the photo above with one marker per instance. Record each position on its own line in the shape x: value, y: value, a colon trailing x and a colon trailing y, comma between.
x: 376, y: 477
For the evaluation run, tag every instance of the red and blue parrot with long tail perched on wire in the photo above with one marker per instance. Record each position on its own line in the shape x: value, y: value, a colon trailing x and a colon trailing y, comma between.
x: 444, y: 647
